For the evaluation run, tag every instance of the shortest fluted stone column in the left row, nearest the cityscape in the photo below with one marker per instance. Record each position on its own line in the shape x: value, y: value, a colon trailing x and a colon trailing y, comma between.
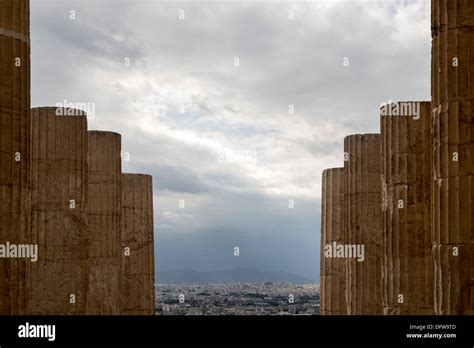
x: 138, y: 271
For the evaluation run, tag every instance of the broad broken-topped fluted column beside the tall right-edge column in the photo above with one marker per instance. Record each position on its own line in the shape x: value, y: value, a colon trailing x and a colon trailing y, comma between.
x: 406, y: 218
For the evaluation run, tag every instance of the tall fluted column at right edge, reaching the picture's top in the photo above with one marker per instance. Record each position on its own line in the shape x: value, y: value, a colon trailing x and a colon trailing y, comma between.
x: 452, y: 142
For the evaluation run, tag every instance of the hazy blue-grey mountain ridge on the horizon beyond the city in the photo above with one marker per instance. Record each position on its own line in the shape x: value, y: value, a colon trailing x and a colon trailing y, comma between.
x: 237, y: 275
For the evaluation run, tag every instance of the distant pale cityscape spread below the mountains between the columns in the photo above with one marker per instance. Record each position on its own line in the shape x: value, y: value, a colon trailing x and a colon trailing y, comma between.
x: 237, y: 299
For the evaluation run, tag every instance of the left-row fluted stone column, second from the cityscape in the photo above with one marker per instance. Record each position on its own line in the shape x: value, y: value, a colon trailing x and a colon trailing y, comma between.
x: 104, y: 211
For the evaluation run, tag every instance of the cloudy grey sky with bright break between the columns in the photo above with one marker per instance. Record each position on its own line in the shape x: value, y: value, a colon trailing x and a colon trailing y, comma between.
x: 234, y: 107
